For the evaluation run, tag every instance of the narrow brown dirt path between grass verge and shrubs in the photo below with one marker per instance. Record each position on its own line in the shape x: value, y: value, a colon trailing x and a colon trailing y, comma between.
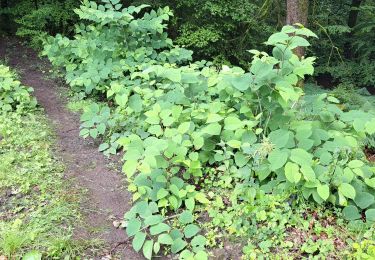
x: 106, y: 198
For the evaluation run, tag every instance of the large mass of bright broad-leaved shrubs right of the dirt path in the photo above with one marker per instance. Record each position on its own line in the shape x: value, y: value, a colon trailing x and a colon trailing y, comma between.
x: 210, y: 152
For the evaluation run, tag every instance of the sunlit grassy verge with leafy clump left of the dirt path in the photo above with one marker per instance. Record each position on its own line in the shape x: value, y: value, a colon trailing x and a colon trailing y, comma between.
x: 36, y: 209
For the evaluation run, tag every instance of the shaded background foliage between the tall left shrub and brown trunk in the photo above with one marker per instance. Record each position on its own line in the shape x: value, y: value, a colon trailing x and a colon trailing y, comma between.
x: 212, y: 28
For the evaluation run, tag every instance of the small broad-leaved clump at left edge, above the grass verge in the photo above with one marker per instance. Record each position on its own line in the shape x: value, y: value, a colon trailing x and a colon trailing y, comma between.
x: 13, y: 96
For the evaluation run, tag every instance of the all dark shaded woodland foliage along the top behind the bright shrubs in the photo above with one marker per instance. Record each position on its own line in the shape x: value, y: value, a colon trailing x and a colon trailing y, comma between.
x: 224, y: 30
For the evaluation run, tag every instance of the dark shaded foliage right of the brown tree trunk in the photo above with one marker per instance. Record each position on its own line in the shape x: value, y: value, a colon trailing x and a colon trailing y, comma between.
x: 347, y: 54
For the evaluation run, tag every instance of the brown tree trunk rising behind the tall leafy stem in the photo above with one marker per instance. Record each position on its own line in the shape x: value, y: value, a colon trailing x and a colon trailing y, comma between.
x: 297, y: 12
